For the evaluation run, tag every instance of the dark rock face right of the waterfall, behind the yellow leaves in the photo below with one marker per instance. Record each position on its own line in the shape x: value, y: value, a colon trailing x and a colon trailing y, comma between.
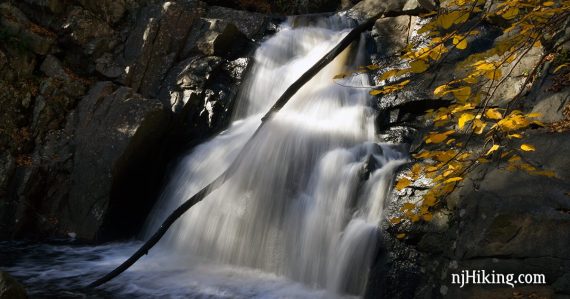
x: 496, y: 219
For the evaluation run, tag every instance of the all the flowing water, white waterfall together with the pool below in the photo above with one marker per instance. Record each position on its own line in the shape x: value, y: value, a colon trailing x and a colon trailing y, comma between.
x: 298, y: 218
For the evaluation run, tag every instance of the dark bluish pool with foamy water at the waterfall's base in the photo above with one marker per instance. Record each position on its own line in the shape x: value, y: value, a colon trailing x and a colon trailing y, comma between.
x: 62, y: 269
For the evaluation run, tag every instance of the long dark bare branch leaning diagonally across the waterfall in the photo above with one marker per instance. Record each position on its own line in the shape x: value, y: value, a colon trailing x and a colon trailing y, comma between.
x: 353, y: 35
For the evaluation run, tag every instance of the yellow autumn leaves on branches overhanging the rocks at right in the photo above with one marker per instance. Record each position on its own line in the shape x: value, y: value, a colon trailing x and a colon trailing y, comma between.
x: 525, y: 23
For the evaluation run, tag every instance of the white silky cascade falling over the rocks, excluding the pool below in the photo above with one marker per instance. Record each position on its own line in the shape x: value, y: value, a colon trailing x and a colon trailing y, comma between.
x: 299, y: 204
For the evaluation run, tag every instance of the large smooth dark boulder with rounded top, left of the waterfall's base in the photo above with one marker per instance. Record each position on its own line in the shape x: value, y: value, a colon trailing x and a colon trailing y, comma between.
x: 116, y: 130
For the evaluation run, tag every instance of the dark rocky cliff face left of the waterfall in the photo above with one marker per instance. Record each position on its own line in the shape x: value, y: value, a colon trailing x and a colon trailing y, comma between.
x: 95, y: 98
